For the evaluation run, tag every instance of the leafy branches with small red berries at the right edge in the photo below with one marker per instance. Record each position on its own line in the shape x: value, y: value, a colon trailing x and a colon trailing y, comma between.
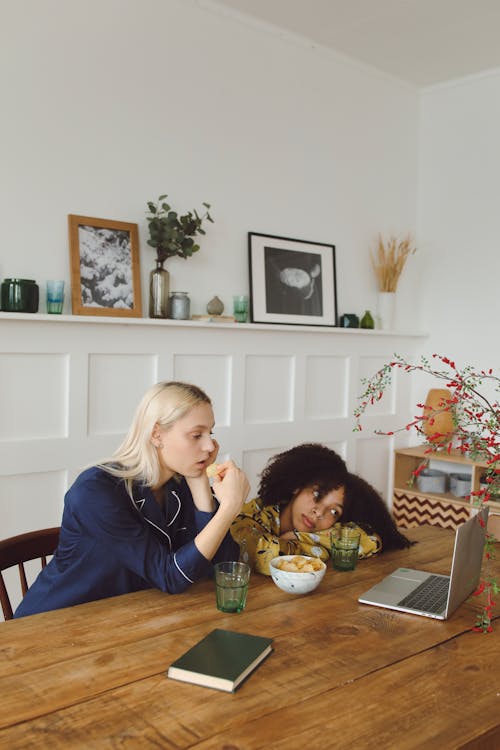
x: 475, y: 408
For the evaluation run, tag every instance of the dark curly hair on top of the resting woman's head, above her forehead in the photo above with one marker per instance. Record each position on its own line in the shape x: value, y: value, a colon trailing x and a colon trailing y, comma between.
x: 307, y: 465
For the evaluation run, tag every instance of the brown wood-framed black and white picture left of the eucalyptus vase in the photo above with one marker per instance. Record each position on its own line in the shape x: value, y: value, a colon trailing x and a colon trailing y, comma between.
x: 105, y: 273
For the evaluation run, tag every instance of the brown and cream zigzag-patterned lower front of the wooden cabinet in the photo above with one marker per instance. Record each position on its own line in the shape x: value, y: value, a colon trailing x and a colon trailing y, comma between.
x: 410, y: 511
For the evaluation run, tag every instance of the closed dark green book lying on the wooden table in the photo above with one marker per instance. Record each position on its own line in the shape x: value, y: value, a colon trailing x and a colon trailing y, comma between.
x: 221, y: 660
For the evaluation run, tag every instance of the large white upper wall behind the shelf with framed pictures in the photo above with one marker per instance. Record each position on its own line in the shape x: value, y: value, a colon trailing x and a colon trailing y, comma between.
x: 108, y: 103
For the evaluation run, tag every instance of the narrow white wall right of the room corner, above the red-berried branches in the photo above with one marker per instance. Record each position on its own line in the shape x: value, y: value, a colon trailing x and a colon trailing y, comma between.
x: 459, y: 219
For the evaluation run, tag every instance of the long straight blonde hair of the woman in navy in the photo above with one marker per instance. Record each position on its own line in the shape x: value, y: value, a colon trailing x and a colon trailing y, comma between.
x: 136, y: 459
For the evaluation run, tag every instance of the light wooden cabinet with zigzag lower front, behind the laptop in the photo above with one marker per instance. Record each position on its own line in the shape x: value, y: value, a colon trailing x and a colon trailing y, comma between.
x: 411, y: 507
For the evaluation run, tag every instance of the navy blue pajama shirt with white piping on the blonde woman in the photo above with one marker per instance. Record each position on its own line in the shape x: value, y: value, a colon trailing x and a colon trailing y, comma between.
x: 111, y: 545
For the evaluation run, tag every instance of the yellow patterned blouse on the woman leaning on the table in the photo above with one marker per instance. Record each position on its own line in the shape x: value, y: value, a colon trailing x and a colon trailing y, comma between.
x: 257, y: 532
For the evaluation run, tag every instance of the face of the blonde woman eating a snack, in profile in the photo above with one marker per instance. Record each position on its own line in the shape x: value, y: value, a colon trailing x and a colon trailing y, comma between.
x: 188, y: 445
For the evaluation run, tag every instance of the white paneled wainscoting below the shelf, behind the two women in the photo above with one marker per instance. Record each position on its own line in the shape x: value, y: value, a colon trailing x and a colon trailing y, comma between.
x: 70, y: 385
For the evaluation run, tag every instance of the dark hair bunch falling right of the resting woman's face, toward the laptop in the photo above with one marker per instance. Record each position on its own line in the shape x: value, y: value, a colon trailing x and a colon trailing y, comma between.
x: 364, y: 506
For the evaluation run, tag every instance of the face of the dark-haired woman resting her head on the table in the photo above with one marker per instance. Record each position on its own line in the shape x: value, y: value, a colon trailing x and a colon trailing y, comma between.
x: 310, y: 513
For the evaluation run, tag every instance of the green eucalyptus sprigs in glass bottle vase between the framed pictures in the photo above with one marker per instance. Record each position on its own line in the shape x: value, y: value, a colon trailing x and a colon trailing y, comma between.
x: 171, y: 235
